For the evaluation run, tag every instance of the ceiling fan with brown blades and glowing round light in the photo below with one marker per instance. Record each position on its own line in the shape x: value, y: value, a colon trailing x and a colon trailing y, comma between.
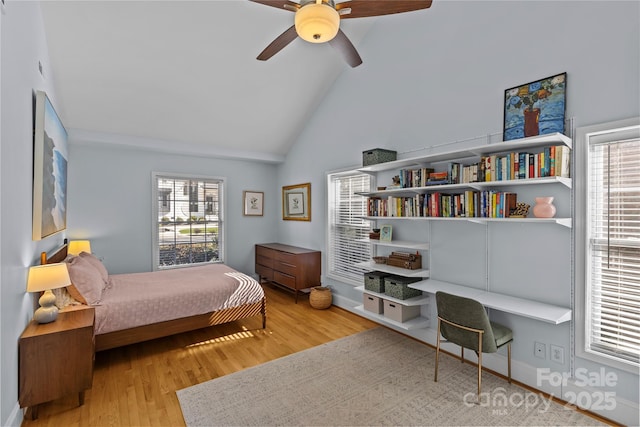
x: 318, y: 21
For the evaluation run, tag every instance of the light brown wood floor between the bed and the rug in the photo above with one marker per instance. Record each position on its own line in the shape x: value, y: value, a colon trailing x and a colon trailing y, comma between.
x: 135, y: 385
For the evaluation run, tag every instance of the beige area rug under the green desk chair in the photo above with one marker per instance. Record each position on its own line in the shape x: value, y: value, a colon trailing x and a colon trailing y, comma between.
x: 376, y: 377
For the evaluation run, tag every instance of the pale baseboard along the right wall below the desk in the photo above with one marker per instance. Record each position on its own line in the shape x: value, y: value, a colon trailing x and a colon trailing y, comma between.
x: 616, y: 408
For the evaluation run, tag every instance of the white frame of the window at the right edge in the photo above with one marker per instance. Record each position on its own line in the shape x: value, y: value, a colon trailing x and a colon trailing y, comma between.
x: 617, y: 130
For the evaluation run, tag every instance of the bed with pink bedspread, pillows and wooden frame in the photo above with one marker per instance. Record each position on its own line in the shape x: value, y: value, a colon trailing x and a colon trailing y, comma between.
x: 131, y: 308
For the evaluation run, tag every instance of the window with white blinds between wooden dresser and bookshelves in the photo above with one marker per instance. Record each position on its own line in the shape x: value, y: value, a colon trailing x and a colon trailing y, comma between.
x: 347, y: 230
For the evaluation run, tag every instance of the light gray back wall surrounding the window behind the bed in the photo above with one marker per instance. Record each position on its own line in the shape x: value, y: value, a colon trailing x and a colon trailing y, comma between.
x: 110, y: 202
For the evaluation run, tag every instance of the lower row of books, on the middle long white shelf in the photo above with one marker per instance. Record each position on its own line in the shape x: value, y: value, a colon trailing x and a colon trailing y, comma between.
x: 469, y: 204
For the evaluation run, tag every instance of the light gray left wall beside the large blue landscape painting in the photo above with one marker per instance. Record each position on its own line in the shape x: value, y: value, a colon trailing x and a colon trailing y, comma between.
x: 20, y: 77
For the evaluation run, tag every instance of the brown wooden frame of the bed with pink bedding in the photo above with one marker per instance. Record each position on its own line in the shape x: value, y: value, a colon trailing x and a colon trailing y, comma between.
x: 171, y: 327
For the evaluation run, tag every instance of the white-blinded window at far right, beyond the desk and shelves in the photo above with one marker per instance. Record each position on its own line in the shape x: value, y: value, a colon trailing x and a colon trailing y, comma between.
x: 610, y: 239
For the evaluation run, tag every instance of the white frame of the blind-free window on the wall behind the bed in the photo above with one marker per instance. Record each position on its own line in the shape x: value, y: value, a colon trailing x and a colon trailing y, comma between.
x: 155, y: 244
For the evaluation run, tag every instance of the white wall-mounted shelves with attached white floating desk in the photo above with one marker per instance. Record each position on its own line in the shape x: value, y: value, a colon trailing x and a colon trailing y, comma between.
x: 506, y: 303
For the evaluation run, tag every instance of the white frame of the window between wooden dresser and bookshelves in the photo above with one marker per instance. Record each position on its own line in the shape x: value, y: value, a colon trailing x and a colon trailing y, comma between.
x: 344, y: 278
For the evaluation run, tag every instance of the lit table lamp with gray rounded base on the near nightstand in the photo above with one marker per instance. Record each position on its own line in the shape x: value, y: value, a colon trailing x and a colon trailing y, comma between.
x: 44, y: 278
